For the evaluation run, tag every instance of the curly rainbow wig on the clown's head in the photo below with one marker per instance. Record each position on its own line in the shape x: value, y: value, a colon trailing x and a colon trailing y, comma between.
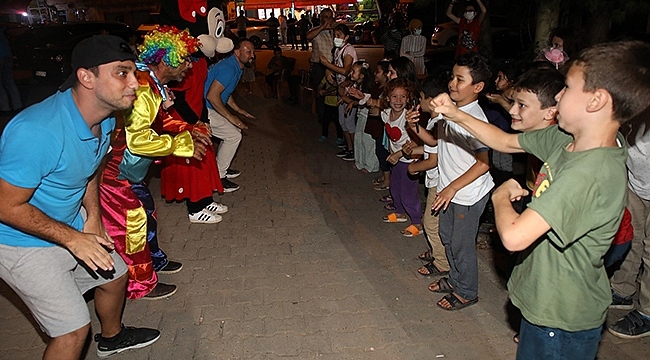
x: 167, y: 44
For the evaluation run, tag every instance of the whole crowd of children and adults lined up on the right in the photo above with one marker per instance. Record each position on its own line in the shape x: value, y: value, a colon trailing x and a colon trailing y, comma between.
x: 460, y: 136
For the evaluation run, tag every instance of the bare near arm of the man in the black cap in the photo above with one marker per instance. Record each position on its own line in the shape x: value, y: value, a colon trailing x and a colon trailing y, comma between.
x: 16, y: 211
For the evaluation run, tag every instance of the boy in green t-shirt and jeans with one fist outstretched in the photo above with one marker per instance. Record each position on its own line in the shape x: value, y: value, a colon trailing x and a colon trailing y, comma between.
x: 560, y: 284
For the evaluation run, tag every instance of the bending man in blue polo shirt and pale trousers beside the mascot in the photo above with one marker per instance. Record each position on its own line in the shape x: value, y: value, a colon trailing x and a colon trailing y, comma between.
x: 222, y: 80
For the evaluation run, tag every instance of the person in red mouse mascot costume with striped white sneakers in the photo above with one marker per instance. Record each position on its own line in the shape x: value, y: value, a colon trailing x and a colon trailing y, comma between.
x: 192, y: 180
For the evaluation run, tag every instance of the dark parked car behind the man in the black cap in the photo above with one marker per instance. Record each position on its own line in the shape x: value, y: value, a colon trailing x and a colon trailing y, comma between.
x: 47, y: 49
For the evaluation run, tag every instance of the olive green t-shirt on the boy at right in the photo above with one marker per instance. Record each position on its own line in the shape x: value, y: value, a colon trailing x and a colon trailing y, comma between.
x: 560, y: 281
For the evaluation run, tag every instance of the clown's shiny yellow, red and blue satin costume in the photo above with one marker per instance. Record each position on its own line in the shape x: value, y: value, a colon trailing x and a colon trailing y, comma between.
x: 127, y: 206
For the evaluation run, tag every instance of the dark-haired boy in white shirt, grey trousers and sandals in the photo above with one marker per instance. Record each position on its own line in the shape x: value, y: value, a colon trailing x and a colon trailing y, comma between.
x: 463, y: 185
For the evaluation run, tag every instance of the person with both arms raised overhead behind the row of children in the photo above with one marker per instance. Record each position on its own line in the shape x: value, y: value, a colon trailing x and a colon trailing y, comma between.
x: 469, y: 26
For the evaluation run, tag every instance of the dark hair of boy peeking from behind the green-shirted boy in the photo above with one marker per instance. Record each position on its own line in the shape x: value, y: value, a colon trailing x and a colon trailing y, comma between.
x: 545, y: 83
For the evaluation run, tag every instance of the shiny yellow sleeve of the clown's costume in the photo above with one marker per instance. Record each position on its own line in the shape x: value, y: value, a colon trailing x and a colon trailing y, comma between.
x: 142, y: 140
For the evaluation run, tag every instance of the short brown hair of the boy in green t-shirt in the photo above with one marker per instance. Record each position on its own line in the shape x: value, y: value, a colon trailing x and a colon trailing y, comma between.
x: 623, y: 69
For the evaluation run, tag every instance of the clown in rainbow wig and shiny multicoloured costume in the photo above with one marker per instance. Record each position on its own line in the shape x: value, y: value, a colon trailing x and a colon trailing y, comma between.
x: 128, y: 207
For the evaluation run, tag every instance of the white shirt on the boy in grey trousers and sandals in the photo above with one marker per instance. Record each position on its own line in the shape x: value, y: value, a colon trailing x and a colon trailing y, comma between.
x: 456, y: 149
